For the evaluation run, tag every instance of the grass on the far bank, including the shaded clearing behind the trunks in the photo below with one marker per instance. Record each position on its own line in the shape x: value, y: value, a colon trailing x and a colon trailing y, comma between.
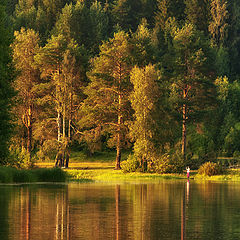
x: 99, y: 167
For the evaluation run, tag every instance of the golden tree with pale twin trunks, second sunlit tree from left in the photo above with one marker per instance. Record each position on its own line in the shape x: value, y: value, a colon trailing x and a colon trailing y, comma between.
x: 58, y: 67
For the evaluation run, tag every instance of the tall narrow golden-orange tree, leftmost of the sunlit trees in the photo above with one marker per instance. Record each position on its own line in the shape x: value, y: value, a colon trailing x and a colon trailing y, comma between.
x: 25, y: 47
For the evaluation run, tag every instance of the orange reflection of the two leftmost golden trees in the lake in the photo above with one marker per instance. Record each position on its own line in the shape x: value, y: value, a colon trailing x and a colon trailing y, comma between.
x: 33, y: 212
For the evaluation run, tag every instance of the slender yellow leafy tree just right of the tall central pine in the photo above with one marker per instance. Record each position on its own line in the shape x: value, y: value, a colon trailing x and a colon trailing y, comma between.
x: 144, y: 98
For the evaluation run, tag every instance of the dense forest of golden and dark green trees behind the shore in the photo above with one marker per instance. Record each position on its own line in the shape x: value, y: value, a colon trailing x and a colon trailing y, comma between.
x: 158, y: 77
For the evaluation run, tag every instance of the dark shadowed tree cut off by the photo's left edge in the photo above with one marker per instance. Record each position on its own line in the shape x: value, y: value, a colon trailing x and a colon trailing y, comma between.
x: 6, y: 91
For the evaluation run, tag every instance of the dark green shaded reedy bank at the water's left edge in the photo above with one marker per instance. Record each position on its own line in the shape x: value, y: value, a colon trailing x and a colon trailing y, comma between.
x: 13, y: 175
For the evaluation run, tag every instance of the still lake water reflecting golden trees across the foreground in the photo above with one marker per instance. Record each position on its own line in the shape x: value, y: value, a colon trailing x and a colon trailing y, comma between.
x: 160, y: 210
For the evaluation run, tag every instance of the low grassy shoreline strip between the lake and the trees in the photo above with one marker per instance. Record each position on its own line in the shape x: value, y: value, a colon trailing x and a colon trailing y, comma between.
x: 96, y: 172
